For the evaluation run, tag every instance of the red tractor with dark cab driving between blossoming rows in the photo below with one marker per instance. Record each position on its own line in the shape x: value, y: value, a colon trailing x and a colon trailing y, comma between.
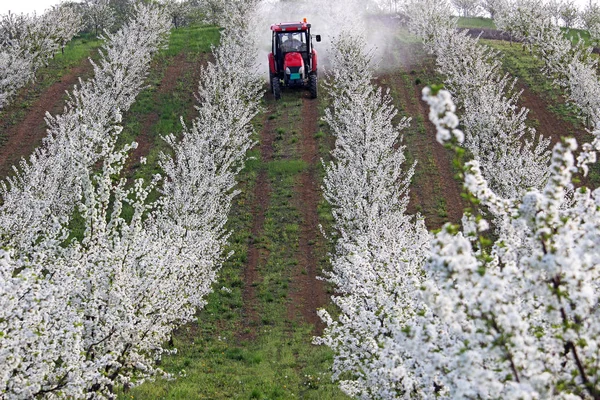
x: 293, y: 61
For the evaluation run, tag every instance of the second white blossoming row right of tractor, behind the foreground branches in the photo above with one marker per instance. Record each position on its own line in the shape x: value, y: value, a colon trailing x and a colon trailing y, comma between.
x: 513, y: 157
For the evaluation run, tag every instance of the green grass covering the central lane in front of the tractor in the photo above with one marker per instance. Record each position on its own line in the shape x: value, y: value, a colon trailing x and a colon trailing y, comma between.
x: 222, y: 356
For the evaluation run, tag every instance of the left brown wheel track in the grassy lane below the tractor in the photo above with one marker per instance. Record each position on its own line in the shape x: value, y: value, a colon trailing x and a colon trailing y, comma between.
x: 257, y: 254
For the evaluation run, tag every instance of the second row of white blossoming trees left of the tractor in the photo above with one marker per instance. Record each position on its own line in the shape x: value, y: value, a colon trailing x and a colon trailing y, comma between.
x: 44, y: 190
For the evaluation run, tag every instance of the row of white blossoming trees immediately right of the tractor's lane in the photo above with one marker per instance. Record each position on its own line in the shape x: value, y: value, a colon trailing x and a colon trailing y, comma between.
x: 376, y: 269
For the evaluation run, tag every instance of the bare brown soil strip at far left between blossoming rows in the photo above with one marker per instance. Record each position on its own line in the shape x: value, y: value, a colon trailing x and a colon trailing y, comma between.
x: 21, y: 139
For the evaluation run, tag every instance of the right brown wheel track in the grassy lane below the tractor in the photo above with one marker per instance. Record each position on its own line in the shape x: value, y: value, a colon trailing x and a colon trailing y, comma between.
x: 307, y: 293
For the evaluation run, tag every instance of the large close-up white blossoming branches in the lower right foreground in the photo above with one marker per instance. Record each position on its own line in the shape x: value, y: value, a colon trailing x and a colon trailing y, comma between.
x: 525, y: 306
